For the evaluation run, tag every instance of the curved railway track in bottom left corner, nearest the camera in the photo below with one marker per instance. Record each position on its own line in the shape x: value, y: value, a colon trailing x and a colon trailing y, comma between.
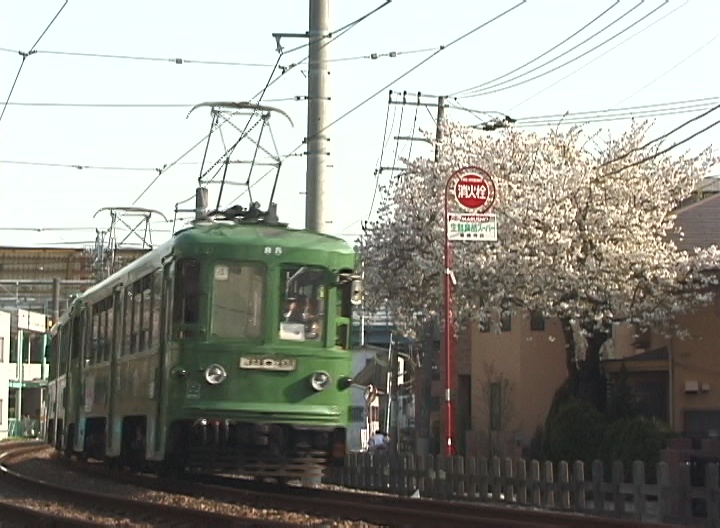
x: 137, y: 511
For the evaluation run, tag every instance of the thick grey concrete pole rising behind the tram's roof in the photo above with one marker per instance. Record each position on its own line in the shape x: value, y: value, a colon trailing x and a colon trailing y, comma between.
x: 318, y: 197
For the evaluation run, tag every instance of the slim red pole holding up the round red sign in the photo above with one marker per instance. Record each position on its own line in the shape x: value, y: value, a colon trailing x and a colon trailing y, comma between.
x: 449, y: 334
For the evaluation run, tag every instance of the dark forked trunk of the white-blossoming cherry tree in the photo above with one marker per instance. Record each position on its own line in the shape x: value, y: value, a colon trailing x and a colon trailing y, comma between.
x: 586, y: 379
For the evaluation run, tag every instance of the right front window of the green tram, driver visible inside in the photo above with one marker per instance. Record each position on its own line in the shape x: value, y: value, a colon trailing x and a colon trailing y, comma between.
x: 303, y: 299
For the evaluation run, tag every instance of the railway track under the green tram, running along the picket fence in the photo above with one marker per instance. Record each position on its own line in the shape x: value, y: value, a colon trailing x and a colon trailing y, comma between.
x: 387, y: 510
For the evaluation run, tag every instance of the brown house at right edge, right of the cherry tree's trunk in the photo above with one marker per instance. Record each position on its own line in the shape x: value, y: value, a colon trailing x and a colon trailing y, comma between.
x: 678, y: 379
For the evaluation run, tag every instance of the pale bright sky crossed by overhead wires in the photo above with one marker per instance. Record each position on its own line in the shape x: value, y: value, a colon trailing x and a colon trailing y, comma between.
x: 662, y: 65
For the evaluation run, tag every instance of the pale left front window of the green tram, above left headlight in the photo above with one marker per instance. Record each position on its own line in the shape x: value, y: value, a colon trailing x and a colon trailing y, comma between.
x: 237, y: 309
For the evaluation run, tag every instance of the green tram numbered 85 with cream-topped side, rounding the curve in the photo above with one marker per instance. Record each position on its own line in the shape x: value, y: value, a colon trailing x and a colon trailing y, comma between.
x: 225, y: 349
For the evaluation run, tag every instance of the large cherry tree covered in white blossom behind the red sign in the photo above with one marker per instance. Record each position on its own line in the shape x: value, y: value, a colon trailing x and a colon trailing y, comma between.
x: 585, y: 234
